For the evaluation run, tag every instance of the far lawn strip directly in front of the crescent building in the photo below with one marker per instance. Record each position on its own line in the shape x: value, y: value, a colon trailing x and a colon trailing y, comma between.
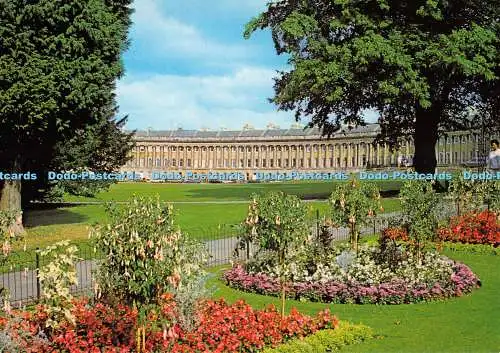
x: 220, y: 192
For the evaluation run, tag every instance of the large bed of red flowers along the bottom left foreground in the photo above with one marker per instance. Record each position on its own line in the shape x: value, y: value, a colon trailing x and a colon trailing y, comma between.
x: 222, y: 328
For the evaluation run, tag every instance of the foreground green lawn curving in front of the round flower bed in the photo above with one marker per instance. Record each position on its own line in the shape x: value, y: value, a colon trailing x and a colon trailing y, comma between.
x: 466, y: 324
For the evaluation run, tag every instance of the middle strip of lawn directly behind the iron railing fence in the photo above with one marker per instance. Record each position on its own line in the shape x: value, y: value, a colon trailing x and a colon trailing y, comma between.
x: 202, y: 221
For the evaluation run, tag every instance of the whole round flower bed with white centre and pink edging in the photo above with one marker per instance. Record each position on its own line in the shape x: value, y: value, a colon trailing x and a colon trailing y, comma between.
x: 383, y: 276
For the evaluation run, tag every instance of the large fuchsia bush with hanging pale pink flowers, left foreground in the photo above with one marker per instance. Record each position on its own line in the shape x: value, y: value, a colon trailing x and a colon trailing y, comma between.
x: 144, y: 255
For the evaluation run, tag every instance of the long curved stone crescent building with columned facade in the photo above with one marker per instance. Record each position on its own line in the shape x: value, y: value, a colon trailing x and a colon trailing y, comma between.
x: 249, y: 150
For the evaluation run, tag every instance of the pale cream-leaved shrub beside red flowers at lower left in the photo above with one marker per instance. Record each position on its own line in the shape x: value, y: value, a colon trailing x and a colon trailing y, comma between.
x: 56, y: 279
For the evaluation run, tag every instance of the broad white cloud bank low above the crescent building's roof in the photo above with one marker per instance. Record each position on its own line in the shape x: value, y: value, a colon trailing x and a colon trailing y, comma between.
x: 192, y: 102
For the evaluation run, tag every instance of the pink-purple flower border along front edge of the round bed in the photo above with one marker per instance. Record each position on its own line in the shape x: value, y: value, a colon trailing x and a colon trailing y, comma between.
x: 395, y: 291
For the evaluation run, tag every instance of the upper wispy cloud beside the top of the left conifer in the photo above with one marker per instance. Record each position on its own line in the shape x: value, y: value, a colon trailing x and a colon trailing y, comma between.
x: 165, y: 36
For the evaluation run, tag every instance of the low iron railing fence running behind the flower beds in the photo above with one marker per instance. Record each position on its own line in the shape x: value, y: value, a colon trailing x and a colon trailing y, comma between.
x: 19, y: 276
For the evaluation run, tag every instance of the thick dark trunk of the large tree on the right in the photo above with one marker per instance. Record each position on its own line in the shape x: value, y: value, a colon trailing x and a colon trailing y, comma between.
x: 426, y: 136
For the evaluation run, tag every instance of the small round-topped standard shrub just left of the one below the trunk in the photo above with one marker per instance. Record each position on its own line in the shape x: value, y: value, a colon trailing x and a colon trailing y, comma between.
x: 352, y: 204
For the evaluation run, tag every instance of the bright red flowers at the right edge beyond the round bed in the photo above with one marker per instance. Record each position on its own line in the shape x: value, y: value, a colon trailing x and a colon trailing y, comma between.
x: 473, y: 228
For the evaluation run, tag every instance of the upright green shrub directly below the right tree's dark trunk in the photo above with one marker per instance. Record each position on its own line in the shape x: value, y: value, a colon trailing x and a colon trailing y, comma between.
x: 418, y: 203
